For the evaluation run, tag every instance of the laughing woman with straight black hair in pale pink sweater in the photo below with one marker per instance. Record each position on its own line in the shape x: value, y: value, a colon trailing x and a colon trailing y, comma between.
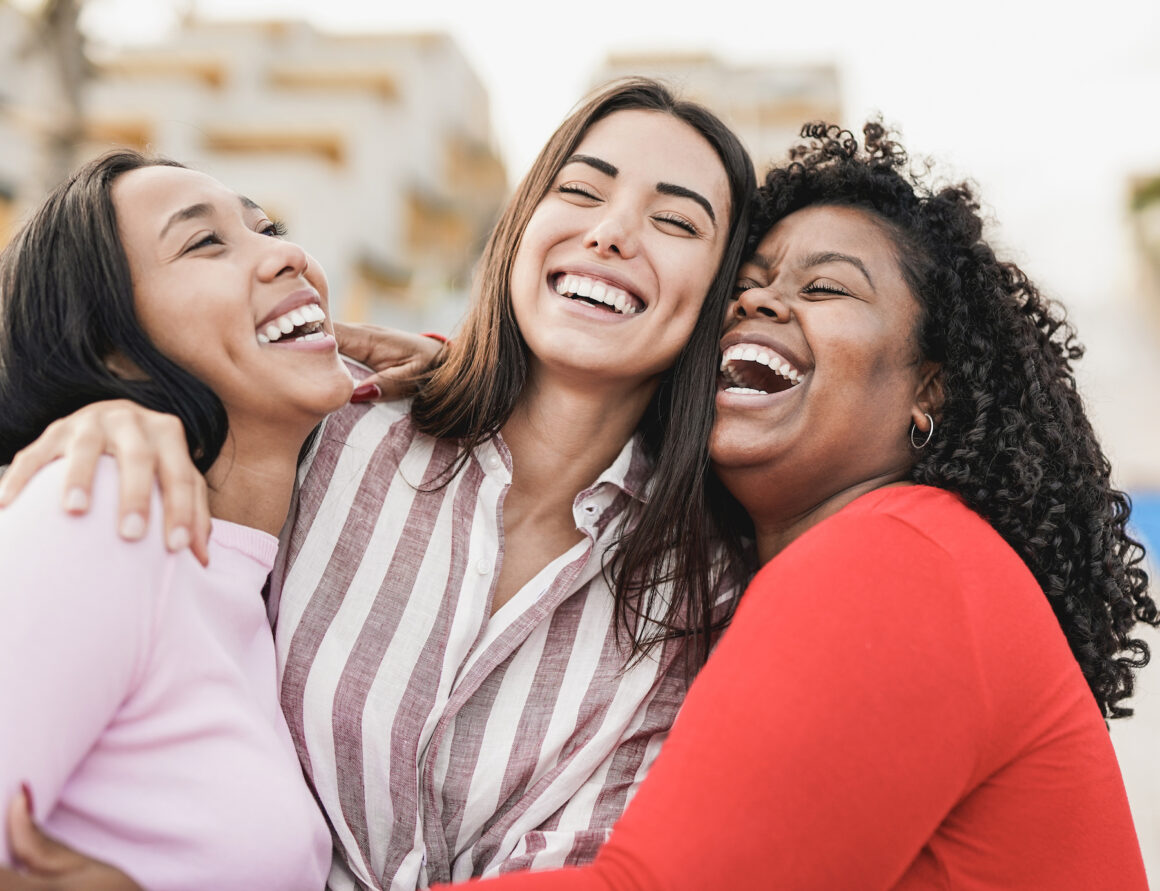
x: 140, y: 694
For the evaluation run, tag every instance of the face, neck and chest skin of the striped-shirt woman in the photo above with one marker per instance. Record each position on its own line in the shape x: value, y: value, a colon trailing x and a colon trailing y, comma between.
x: 593, y: 372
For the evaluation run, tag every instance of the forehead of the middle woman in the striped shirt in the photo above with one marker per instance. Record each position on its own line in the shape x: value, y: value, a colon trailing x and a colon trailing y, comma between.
x: 658, y: 148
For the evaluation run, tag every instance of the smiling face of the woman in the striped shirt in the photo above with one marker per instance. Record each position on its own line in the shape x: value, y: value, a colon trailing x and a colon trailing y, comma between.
x: 617, y: 260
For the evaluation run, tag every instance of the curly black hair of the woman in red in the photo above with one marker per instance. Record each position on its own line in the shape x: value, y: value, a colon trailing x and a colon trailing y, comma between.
x: 1013, y: 439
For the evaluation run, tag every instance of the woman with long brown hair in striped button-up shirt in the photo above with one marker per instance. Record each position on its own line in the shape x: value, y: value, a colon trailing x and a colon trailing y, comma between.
x: 489, y: 600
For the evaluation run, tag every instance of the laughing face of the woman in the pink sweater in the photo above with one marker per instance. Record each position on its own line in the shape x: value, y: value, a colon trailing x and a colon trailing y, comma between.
x: 221, y: 294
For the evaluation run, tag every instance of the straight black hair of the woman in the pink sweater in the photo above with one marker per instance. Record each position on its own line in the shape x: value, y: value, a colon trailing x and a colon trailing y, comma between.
x: 67, y: 307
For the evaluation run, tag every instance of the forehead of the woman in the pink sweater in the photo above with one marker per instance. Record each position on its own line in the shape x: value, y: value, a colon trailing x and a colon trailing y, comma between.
x: 150, y: 195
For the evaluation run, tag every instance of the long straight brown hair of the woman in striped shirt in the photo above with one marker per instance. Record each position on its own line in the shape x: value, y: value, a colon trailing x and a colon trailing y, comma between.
x: 669, y: 550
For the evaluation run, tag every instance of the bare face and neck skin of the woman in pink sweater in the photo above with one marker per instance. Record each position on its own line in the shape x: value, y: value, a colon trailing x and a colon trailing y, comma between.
x: 202, y: 285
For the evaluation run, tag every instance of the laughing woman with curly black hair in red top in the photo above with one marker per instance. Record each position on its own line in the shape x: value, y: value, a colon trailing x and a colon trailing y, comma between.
x: 913, y: 690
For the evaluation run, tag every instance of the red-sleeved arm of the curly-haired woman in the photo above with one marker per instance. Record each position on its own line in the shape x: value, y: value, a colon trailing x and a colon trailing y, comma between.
x: 836, y: 726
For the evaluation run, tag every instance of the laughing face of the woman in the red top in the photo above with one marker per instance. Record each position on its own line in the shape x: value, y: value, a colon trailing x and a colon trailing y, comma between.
x: 821, y: 374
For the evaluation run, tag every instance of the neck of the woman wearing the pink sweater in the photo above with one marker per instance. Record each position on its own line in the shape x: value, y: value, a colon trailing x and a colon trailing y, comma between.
x: 253, y: 479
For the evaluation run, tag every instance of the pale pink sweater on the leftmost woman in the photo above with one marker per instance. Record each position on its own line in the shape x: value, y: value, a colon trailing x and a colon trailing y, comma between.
x: 139, y: 698
